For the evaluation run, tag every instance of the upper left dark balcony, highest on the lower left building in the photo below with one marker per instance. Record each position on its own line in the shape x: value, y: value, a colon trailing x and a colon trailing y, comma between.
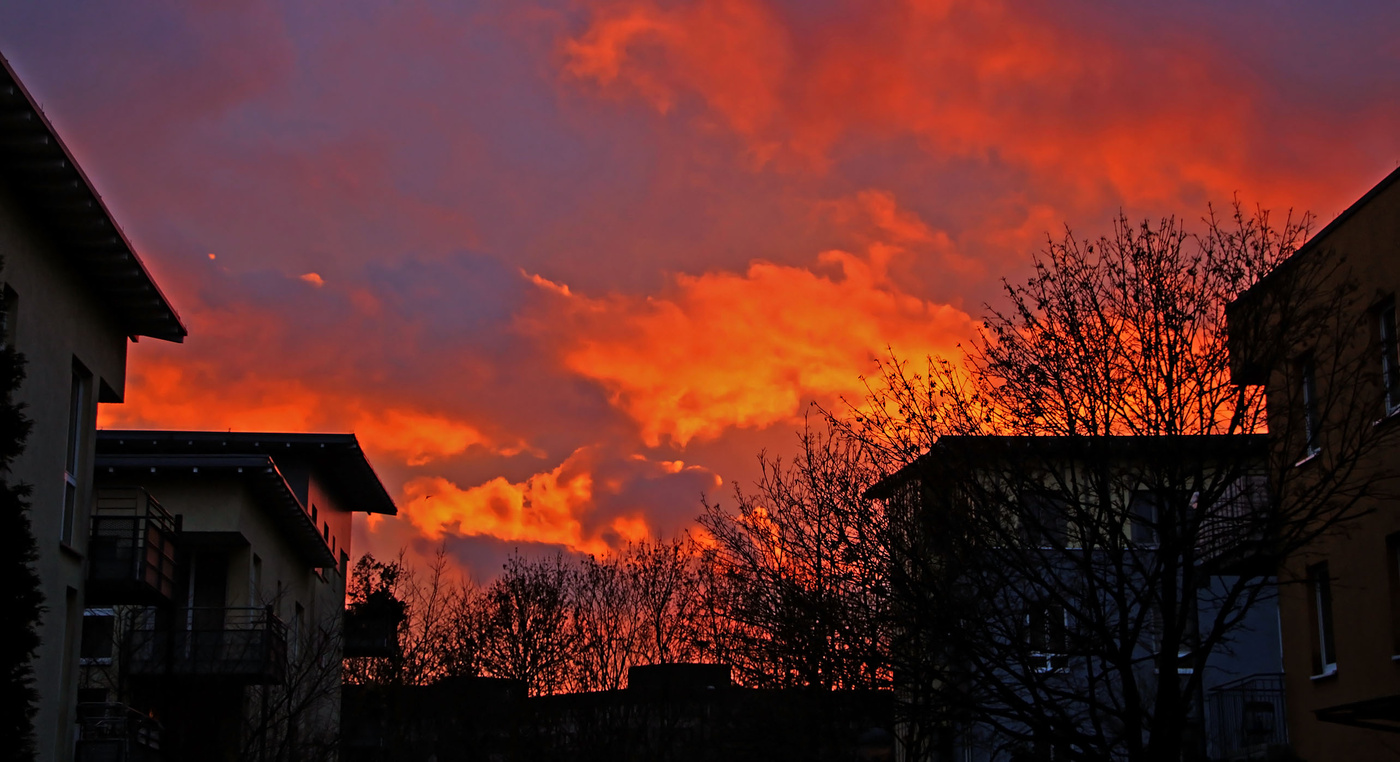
x: 132, y: 550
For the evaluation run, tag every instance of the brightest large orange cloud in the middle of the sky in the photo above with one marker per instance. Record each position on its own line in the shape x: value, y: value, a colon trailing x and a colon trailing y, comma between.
x: 748, y: 349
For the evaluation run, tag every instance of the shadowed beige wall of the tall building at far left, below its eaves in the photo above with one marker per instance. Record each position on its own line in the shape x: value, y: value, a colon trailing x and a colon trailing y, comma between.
x: 58, y: 320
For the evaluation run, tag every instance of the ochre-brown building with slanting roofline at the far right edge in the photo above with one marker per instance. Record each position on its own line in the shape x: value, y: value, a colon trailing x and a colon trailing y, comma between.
x: 1333, y: 396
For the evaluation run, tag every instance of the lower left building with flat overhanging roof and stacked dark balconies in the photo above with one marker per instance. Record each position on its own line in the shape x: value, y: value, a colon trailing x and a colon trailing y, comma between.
x: 216, y: 595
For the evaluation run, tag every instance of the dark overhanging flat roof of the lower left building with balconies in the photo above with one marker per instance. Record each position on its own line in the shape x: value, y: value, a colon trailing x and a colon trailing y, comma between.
x: 337, y: 457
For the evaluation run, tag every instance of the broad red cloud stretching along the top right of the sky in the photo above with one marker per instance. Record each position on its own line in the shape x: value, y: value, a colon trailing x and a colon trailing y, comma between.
x: 1098, y: 118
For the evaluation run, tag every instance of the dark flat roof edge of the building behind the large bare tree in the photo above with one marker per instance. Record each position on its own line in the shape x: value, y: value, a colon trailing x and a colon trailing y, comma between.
x: 965, y: 448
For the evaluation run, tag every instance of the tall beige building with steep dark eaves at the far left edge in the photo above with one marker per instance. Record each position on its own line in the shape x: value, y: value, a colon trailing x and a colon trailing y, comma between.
x: 75, y: 292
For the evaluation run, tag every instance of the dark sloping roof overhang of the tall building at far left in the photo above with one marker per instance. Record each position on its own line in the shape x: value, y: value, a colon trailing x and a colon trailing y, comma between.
x: 34, y: 159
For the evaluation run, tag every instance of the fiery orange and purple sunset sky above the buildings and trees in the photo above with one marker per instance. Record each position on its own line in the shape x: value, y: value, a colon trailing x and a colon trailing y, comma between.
x: 566, y: 267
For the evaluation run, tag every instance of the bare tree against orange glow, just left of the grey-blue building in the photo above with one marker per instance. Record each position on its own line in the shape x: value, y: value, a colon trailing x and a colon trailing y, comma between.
x: 801, y: 600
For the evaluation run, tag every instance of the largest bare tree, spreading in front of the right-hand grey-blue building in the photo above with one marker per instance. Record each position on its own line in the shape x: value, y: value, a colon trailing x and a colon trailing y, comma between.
x: 1081, y: 508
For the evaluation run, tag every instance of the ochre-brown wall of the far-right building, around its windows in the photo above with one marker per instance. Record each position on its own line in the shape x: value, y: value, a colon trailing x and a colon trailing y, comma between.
x: 1367, y: 246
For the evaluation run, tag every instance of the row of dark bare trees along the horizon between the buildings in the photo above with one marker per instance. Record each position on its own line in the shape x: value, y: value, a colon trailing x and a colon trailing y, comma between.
x: 761, y: 588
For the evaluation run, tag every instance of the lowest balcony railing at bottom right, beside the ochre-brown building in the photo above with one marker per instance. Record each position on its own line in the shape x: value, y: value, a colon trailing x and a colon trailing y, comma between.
x: 1249, y: 718
